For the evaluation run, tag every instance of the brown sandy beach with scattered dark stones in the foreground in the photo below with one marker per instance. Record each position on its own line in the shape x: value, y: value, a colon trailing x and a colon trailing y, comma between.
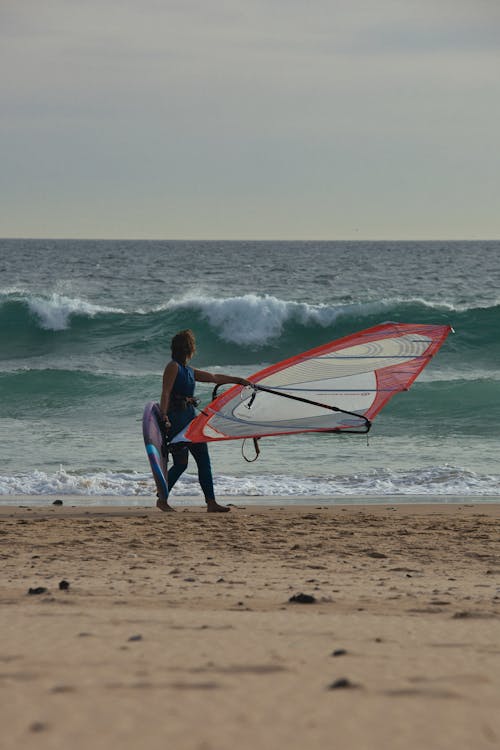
x: 190, y: 630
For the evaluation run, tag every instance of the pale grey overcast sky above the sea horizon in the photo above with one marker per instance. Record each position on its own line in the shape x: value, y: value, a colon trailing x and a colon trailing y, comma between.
x: 250, y: 119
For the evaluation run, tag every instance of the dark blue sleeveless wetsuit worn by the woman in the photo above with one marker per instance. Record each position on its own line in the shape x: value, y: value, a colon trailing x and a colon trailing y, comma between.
x: 180, y: 415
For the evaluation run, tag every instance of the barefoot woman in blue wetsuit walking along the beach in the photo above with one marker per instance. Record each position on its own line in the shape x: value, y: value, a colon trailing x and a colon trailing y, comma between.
x: 177, y: 409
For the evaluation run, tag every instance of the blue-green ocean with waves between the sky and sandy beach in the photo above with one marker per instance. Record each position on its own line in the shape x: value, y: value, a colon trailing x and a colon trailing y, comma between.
x: 85, y: 330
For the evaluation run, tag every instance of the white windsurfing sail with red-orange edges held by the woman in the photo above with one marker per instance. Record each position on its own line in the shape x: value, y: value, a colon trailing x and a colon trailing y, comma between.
x: 337, y: 387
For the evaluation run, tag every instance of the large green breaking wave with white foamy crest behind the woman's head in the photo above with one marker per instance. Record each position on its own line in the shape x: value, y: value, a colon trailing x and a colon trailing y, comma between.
x: 258, y: 322
